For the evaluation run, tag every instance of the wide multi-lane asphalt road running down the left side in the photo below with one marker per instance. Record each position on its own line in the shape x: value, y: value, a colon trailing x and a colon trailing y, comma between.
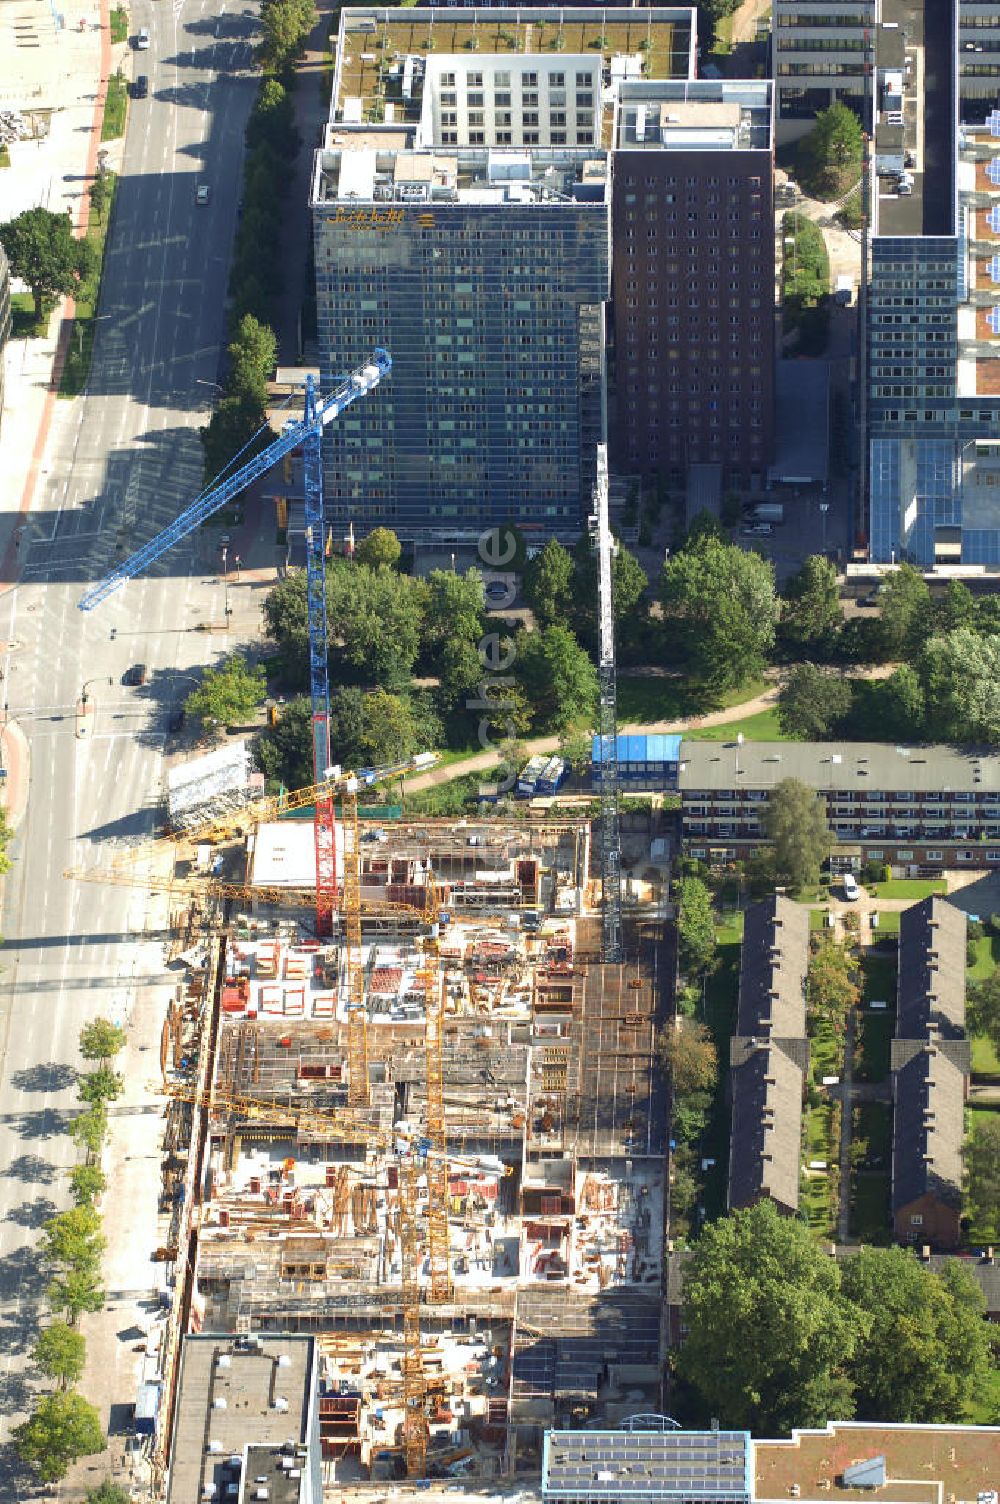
x: 124, y: 464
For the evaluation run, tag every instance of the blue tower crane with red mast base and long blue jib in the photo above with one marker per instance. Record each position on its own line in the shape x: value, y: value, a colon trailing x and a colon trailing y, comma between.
x: 306, y: 434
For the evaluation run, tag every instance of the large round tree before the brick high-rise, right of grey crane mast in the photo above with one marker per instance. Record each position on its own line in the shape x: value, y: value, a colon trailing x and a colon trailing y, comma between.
x: 721, y: 610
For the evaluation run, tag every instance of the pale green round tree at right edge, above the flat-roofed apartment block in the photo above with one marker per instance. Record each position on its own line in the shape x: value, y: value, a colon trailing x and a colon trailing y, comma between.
x: 962, y: 684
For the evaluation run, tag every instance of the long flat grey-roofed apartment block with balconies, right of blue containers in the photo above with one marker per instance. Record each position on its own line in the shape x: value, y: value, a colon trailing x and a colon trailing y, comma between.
x: 915, y: 808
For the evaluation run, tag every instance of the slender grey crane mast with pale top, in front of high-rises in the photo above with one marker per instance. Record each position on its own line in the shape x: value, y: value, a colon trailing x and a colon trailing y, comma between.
x: 608, y: 733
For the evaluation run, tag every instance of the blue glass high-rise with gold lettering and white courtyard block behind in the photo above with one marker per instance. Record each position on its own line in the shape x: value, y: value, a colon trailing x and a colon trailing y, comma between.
x: 461, y: 207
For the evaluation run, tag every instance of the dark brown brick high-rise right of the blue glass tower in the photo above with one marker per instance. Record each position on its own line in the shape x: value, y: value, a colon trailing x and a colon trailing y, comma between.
x: 694, y: 280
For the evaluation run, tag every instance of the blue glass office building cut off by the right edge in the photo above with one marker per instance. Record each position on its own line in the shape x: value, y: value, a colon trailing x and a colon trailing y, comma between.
x: 933, y: 323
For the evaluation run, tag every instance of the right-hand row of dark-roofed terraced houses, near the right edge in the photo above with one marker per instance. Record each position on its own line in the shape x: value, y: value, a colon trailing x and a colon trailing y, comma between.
x: 930, y: 1076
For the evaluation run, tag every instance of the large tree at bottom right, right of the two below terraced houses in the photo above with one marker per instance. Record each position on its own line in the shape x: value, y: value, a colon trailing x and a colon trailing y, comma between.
x: 933, y: 1329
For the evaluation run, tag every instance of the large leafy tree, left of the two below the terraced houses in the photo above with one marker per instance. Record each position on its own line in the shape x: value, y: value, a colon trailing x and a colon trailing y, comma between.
x: 769, y: 1332
